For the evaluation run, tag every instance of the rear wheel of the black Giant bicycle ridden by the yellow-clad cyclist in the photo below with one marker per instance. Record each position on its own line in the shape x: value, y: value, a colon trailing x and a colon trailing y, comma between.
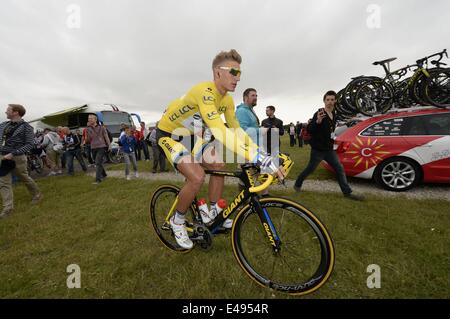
x: 162, y: 202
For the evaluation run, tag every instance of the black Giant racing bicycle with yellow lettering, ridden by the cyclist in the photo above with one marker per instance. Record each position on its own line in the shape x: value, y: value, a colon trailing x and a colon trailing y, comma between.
x: 277, y: 242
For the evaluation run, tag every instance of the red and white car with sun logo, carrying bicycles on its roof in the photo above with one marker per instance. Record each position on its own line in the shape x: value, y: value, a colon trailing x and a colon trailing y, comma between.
x: 399, y: 149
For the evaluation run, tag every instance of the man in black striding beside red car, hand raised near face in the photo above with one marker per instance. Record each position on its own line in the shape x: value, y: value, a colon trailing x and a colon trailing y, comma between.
x: 322, y: 129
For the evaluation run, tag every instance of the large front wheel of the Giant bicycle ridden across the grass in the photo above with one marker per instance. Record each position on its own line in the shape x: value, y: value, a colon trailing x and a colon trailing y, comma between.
x: 305, y: 259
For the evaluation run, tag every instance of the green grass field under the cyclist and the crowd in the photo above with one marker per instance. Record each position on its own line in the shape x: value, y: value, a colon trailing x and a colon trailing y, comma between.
x: 106, y: 230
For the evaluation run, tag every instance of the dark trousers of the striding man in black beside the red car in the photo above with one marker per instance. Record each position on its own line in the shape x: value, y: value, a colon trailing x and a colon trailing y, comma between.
x: 331, y: 158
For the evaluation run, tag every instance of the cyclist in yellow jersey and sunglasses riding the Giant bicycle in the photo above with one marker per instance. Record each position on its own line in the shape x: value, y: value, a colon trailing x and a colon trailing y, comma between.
x: 181, y: 134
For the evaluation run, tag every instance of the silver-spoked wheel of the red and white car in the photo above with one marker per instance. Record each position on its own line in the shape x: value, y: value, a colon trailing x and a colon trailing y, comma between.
x: 398, y: 174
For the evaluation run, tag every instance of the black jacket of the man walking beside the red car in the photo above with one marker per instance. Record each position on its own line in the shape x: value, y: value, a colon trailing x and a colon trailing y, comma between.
x: 321, y: 133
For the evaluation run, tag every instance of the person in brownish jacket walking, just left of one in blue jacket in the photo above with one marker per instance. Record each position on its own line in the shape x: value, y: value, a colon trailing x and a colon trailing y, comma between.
x: 98, y: 138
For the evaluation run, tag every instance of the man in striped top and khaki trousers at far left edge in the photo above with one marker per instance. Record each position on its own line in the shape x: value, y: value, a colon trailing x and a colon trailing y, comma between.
x: 16, y: 139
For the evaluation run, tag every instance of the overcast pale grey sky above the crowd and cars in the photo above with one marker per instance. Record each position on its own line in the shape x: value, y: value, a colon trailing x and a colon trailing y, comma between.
x: 144, y: 54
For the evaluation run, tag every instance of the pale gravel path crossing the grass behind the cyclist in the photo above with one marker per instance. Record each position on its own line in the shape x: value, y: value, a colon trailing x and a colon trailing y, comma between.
x: 432, y: 191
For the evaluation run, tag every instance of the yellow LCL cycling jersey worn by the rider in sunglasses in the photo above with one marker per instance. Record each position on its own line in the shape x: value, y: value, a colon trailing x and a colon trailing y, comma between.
x: 202, y: 106
